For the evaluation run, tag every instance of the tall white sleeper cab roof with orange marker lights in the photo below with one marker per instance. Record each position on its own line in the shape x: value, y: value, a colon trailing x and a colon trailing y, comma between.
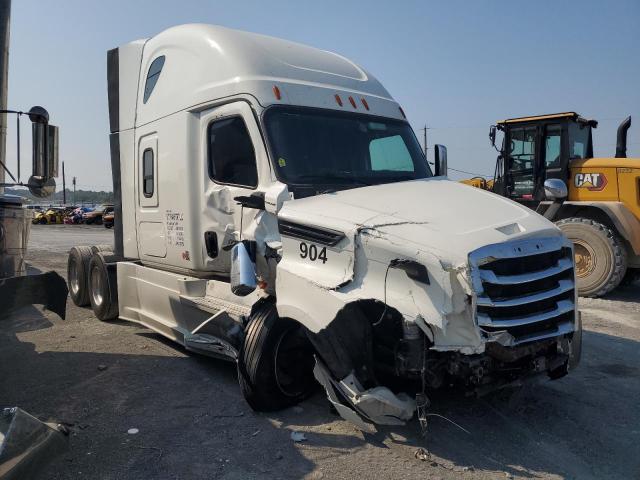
x: 190, y: 65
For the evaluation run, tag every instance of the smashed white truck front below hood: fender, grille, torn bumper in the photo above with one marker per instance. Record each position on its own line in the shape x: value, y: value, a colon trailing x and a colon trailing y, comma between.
x: 397, y: 319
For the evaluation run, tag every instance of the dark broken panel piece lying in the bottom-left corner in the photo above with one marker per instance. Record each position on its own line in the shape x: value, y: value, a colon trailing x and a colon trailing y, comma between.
x: 26, y: 444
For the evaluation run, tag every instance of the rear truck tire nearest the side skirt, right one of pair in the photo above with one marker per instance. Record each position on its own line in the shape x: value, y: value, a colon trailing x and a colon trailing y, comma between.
x: 103, y: 286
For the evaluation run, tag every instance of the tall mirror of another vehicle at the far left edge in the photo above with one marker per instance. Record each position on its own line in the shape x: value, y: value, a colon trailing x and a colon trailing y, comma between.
x: 44, y: 153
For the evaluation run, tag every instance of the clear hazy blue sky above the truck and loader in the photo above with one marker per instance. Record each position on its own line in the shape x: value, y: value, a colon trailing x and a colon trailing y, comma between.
x: 456, y: 66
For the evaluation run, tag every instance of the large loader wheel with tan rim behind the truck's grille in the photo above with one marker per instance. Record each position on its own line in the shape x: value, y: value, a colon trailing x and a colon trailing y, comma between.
x: 600, y: 256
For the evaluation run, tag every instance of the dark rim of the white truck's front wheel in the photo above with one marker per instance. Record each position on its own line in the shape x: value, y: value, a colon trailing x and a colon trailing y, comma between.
x: 293, y: 363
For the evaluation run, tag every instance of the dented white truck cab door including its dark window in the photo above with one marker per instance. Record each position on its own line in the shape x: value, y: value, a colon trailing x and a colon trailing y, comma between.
x: 235, y: 160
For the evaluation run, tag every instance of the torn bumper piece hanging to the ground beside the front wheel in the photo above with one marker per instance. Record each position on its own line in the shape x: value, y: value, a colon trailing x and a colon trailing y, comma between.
x: 377, y: 405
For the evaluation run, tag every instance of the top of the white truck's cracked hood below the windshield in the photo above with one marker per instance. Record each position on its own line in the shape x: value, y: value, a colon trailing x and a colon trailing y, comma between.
x: 449, y: 218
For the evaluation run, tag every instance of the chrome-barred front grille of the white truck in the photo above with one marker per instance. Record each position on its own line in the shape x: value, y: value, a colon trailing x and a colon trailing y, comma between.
x: 525, y: 288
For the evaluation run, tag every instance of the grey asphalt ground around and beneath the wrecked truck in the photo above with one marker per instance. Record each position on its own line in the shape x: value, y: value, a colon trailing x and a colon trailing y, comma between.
x: 102, y: 379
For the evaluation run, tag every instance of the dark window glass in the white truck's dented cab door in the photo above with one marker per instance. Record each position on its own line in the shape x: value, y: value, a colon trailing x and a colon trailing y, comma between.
x: 232, y: 159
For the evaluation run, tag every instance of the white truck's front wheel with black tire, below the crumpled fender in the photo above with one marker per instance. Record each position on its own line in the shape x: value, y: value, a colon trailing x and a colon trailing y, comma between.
x: 275, y: 363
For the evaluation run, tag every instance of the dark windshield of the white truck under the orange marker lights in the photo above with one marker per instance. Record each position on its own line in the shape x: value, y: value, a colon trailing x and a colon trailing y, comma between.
x: 324, y: 147
